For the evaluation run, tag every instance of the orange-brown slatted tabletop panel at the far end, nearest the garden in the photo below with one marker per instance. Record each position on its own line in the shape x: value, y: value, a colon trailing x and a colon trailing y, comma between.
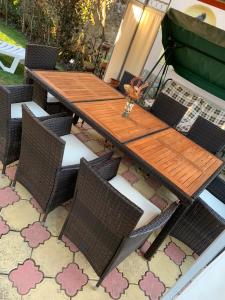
x: 77, y: 87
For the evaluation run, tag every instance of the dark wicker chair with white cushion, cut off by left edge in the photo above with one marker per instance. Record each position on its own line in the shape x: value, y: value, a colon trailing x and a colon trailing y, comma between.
x: 11, y: 100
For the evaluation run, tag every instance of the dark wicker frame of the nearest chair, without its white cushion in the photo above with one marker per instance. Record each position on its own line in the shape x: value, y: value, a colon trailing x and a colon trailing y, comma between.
x: 102, y: 221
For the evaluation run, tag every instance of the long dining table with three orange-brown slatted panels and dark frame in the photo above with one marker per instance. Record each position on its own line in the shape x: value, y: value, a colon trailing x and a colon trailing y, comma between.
x: 184, y: 167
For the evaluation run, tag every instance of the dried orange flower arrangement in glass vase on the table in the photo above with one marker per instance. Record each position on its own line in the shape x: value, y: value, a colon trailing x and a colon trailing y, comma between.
x: 134, y: 91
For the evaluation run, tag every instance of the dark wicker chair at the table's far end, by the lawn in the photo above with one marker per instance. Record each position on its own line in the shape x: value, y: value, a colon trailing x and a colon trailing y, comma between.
x: 43, y: 57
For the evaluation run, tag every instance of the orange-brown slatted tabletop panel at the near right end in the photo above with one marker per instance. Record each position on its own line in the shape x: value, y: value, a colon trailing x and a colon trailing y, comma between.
x: 177, y: 158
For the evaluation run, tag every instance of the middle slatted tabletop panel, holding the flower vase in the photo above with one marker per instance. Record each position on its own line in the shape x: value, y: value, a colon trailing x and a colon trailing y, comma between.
x: 108, y: 115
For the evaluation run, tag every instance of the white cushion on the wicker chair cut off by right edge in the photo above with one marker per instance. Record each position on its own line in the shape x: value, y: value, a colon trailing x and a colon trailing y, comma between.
x: 217, y: 205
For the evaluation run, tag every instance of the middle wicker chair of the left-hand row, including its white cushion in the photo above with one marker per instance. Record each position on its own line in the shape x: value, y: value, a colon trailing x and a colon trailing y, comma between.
x: 49, y: 159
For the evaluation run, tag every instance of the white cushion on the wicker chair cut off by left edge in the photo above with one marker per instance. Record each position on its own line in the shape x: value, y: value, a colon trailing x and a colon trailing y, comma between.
x: 16, y: 110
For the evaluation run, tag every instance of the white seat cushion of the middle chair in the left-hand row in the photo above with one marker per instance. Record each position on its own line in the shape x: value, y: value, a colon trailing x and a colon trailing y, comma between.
x: 75, y: 150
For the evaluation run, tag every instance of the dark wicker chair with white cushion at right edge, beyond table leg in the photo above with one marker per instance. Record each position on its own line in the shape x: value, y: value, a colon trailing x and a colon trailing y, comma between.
x: 204, y: 220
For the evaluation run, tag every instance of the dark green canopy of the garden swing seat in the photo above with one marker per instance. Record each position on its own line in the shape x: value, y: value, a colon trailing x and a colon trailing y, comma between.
x: 196, y: 50
